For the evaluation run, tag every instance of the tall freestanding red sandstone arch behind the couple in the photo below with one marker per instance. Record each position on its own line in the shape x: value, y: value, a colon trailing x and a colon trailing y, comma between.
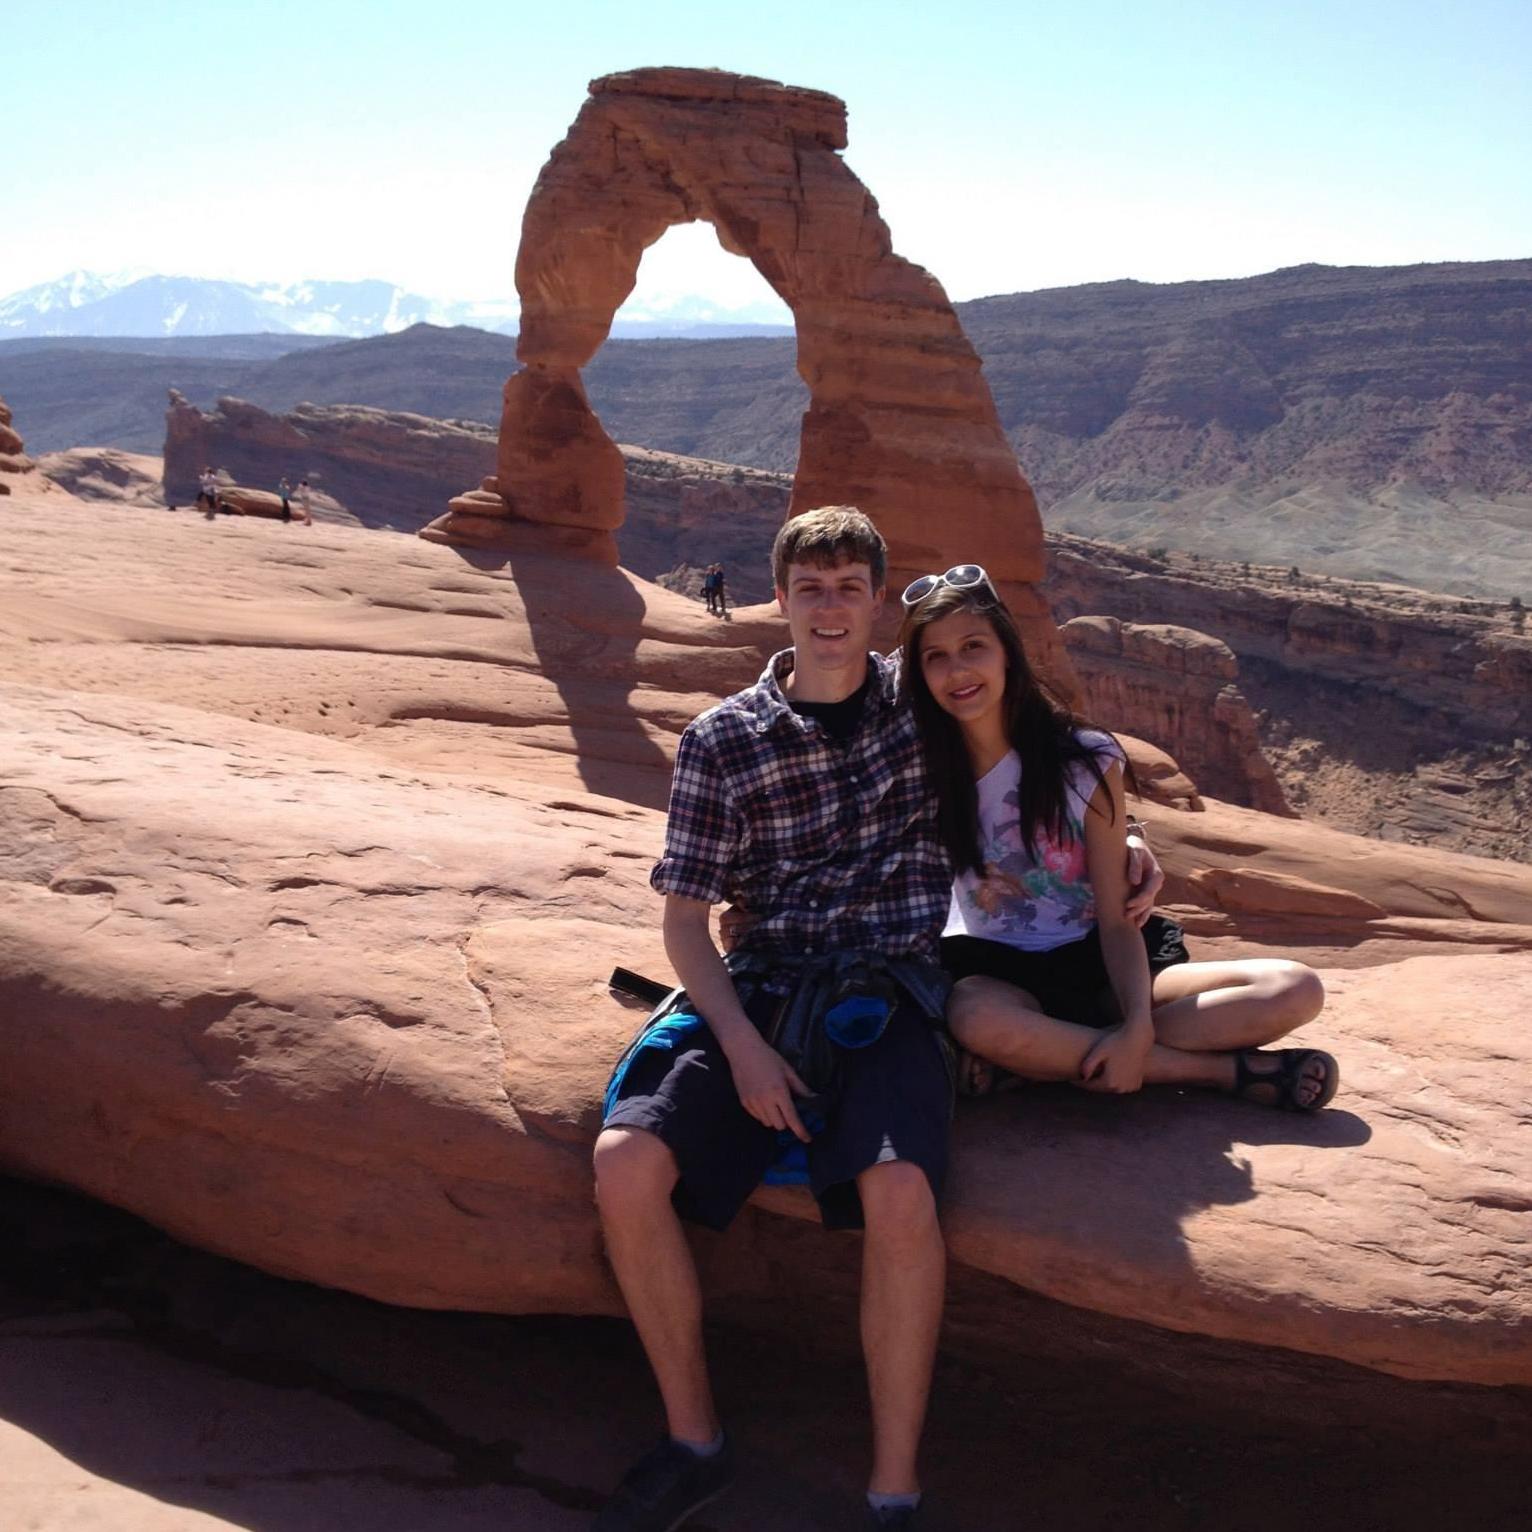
x: 900, y: 419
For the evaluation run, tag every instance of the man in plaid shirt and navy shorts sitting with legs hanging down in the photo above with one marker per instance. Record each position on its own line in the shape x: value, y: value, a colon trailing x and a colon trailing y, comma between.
x: 805, y: 802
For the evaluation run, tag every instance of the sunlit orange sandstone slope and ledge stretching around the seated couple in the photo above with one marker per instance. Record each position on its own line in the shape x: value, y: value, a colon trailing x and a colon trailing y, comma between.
x: 310, y: 886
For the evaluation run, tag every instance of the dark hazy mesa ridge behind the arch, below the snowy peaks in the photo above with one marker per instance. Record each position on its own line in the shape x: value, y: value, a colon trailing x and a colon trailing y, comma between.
x: 1366, y: 422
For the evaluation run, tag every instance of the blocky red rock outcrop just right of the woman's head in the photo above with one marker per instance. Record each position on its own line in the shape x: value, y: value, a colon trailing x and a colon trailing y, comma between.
x: 1176, y: 689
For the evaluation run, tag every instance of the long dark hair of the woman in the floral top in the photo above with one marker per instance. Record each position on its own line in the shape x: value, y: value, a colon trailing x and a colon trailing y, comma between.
x: 1039, y: 727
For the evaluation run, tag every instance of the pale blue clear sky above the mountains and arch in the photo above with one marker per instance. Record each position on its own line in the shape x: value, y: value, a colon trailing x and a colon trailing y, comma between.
x: 1012, y: 146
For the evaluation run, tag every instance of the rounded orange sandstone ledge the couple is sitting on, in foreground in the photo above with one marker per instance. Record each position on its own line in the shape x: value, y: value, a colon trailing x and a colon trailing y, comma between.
x: 388, y: 1081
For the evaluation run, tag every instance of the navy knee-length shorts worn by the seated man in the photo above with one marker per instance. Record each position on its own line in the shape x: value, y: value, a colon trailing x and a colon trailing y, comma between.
x: 895, y: 1104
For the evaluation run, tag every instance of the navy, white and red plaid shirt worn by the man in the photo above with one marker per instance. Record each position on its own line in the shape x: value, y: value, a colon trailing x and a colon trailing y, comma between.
x: 833, y: 846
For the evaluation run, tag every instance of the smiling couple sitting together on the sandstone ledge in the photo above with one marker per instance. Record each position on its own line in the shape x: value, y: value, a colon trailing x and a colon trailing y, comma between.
x: 934, y: 888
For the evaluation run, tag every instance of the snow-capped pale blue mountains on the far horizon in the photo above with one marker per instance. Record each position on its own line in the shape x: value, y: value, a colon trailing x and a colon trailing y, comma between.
x: 137, y: 306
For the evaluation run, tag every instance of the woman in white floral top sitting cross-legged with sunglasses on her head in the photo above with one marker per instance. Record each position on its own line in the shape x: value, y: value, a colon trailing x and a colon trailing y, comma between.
x: 1055, y: 981
